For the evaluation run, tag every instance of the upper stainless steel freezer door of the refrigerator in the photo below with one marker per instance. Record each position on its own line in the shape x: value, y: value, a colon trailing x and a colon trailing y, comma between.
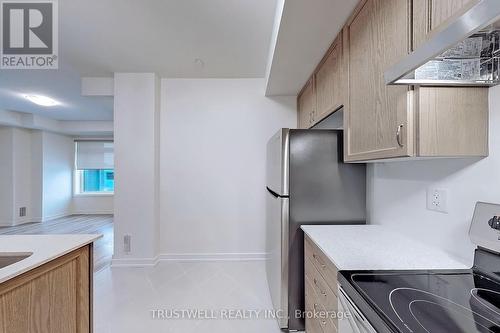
x: 277, y: 162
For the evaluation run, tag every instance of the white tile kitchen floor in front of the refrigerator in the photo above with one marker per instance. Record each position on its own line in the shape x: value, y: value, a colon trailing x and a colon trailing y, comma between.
x: 124, y: 298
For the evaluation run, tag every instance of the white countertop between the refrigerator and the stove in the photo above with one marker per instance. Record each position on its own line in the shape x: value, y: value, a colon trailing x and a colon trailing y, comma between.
x: 373, y: 247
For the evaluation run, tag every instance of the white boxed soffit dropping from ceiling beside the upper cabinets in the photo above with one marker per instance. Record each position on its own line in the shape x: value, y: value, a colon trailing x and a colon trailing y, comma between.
x: 305, y: 32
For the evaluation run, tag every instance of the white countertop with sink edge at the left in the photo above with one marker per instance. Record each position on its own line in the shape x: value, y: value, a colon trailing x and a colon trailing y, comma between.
x: 44, y: 248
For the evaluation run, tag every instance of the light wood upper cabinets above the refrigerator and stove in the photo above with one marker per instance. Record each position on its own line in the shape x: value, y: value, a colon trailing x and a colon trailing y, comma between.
x: 393, y: 121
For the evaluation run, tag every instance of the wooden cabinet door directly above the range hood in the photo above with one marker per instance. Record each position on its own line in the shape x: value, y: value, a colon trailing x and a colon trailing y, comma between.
x: 431, y: 15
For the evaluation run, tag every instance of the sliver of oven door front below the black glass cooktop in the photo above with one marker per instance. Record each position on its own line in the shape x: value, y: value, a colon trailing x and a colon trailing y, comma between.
x: 354, y: 321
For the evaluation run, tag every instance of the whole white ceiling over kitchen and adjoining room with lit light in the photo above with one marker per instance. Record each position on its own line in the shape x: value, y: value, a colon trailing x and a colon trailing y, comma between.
x: 174, y: 38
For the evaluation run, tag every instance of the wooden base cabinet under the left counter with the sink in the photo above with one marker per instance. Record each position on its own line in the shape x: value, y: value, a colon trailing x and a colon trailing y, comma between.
x: 53, y: 298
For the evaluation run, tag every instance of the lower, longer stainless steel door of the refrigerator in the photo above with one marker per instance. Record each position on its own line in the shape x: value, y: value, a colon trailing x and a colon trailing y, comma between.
x: 277, y: 254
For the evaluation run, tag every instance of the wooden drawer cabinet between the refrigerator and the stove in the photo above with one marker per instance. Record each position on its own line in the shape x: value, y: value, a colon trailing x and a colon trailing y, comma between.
x: 320, y: 291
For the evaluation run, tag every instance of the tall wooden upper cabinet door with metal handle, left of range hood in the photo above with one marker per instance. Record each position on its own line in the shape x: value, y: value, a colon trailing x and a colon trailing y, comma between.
x: 377, y: 119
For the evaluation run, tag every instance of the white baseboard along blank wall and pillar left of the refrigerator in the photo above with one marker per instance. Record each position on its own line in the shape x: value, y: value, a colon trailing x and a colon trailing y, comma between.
x: 187, y: 257
